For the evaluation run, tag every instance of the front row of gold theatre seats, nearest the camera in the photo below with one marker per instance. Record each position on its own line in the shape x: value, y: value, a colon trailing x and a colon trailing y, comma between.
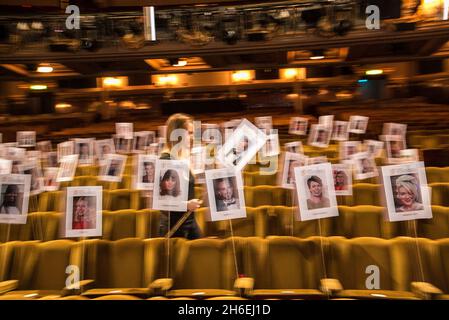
x: 274, y: 267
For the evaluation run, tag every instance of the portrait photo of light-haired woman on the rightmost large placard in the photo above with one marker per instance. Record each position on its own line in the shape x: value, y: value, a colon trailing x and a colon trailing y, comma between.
x: 407, y: 194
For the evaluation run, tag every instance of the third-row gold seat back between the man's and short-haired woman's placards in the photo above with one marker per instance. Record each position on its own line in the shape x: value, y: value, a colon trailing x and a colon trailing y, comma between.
x: 268, y: 195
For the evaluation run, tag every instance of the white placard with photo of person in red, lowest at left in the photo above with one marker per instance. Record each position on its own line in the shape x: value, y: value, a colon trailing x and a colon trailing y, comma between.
x: 84, y: 211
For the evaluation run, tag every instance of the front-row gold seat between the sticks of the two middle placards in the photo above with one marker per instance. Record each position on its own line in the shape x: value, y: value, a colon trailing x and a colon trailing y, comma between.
x: 284, y: 267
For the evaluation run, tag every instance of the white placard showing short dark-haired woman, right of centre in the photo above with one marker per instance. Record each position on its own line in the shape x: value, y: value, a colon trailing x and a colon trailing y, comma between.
x: 316, y: 193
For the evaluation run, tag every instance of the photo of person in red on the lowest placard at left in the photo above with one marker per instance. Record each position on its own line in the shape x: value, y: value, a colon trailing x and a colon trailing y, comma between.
x: 84, y: 213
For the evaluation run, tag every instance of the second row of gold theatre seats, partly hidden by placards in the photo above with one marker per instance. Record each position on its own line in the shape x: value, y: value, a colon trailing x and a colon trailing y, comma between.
x: 263, y: 221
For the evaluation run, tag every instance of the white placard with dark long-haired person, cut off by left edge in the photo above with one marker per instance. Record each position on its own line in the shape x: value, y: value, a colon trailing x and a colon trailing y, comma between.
x: 14, y: 198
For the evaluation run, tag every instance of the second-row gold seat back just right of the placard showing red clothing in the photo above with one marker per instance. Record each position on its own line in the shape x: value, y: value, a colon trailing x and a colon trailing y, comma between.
x: 119, y: 224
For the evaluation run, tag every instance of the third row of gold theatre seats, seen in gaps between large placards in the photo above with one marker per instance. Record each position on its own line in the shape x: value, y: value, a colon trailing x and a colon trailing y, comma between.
x: 363, y: 194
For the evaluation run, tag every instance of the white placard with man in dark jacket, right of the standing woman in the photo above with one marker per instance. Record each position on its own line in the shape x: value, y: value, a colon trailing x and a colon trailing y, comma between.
x: 225, y: 194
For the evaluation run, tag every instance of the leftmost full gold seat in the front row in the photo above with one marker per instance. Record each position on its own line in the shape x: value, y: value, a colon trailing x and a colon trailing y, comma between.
x: 41, y: 267
